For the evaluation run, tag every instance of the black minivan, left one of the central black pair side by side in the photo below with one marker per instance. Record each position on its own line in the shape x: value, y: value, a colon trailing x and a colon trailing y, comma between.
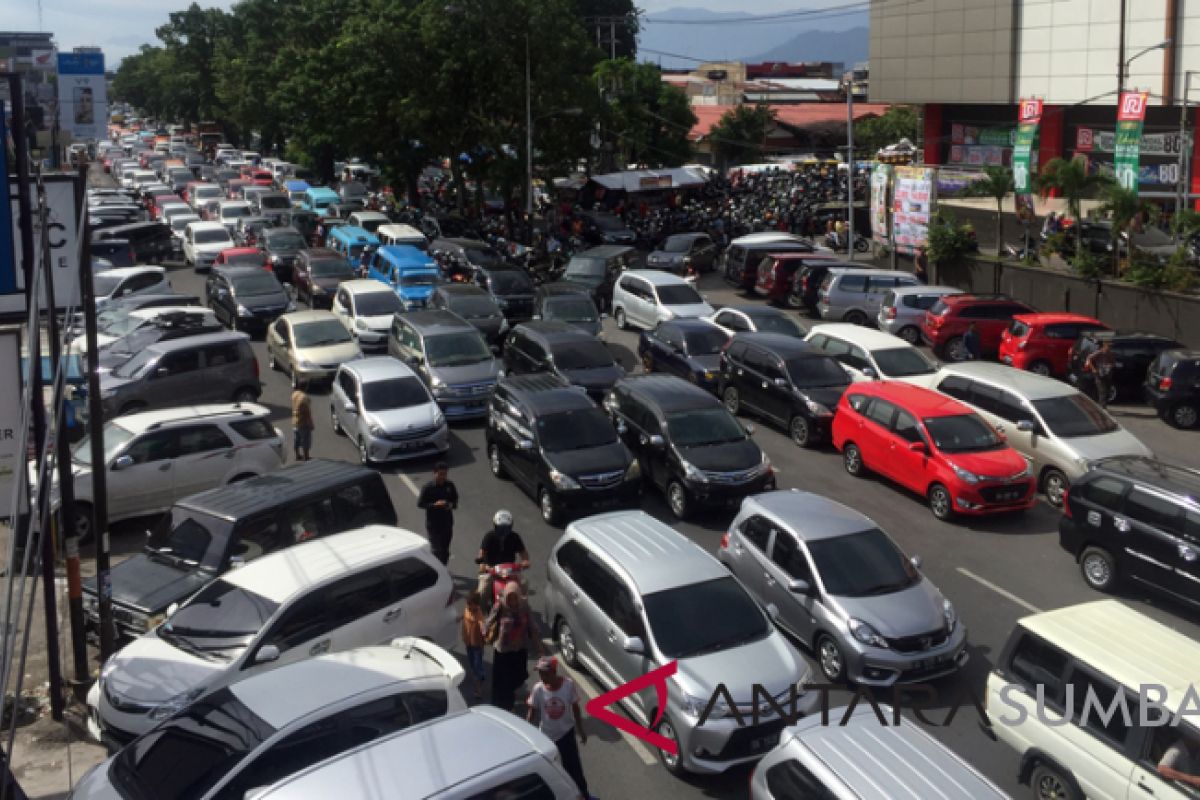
x: 553, y: 442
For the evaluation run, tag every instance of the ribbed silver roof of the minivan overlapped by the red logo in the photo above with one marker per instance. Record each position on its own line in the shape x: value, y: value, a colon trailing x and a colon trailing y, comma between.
x: 655, y: 556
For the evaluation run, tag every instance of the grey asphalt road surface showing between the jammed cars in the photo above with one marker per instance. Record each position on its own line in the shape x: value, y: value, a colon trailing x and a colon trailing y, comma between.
x: 995, y: 570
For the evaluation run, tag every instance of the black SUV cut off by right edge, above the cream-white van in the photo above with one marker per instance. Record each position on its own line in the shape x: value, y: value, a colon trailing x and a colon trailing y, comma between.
x: 1136, y: 519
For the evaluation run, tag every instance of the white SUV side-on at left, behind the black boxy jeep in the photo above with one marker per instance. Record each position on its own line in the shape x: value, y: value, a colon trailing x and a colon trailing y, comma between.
x: 157, y: 458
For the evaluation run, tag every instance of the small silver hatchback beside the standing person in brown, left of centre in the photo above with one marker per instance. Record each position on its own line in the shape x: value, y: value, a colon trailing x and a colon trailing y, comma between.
x: 387, y: 411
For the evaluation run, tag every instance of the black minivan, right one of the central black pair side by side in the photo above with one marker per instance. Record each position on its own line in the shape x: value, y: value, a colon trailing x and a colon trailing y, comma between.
x: 688, y: 444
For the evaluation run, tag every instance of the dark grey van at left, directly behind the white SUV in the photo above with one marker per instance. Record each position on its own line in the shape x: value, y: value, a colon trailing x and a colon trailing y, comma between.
x: 209, y: 369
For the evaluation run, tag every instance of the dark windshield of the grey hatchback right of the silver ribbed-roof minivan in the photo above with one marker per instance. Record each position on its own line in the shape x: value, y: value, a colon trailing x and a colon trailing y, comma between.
x: 862, y: 566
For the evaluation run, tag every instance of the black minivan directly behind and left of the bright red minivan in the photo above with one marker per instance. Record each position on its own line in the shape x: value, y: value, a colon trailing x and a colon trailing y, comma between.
x: 785, y: 382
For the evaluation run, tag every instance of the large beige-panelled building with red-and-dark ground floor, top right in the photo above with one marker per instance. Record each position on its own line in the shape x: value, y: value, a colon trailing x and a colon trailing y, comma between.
x: 968, y: 63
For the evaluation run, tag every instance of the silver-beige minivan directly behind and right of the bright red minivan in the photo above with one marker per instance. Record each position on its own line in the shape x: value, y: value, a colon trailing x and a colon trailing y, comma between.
x: 1057, y: 428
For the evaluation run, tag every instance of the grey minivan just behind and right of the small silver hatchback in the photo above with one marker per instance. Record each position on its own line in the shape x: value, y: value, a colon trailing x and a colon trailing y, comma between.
x: 451, y: 357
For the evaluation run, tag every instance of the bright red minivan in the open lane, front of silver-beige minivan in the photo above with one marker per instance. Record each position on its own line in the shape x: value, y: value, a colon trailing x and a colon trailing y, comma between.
x: 933, y: 446
